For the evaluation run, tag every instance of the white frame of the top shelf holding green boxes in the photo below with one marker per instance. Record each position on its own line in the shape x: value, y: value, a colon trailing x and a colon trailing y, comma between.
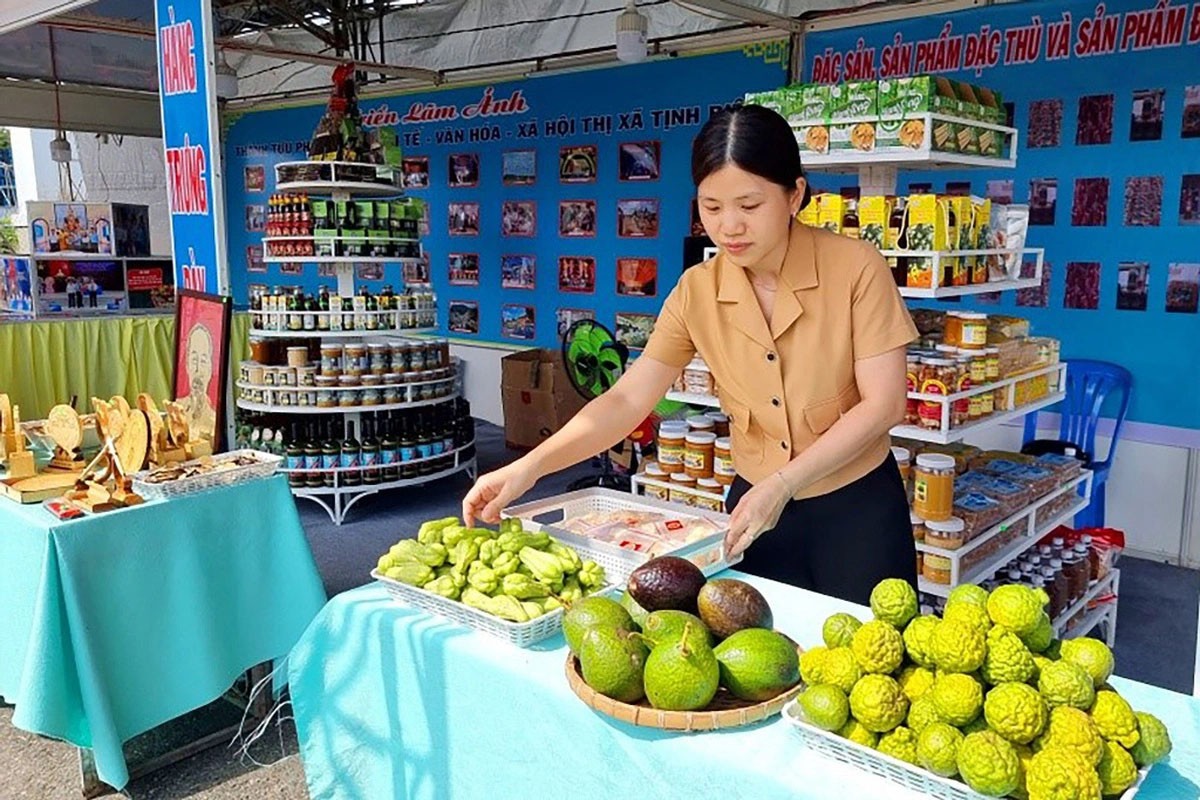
x: 922, y: 158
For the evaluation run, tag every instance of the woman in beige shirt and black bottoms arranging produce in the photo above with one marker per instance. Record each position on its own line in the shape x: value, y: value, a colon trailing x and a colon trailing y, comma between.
x: 806, y: 334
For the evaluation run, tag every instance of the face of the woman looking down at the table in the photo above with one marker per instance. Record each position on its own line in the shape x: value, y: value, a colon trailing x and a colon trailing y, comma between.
x: 747, y: 215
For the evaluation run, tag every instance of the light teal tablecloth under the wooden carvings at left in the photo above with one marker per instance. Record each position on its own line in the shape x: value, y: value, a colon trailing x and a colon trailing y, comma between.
x: 117, y: 623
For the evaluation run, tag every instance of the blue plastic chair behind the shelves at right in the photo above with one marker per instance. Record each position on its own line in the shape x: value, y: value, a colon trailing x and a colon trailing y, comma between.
x: 1090, y: 386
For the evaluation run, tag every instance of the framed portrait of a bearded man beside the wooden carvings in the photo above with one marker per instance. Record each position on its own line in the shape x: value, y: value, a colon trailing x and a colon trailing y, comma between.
x: 202, y: 363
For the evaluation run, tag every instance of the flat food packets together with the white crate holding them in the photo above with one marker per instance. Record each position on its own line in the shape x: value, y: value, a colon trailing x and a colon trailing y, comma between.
x: 616, y: 526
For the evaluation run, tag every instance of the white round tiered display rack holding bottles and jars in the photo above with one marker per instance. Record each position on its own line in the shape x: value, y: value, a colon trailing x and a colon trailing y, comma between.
x: 339, y: 500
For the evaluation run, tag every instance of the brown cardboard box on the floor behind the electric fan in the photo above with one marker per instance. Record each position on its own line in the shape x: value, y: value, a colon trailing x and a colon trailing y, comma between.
x: 537, y: 395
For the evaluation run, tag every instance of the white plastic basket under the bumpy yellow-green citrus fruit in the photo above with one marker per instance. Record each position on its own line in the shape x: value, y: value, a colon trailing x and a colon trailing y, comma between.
x: 893, y: 769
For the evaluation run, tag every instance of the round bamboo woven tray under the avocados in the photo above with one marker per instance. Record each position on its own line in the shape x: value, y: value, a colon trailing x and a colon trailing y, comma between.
x: 725, y: 711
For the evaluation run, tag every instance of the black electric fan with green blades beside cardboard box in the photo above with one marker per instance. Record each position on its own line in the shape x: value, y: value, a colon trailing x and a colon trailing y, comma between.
x: 595, y: 362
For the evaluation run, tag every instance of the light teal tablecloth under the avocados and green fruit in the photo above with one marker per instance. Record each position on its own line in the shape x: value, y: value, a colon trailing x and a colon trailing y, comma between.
x: 392, y: 702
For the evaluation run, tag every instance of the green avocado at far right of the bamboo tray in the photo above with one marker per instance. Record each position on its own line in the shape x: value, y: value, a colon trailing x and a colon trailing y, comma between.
x: 758, y: 665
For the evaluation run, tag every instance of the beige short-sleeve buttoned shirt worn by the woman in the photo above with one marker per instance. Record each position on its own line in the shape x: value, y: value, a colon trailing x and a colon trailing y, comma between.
x: 788, y: 382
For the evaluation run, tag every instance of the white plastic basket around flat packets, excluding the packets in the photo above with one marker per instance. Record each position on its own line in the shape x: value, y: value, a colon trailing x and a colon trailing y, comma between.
x: 707, y: 554
